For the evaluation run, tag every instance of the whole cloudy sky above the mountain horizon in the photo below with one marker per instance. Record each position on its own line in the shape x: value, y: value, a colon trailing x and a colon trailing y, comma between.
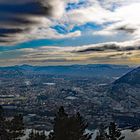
x: 64, y: 32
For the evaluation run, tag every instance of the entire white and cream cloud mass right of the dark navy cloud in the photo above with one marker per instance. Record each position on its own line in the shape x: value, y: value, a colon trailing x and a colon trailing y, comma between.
x: 119, y: 13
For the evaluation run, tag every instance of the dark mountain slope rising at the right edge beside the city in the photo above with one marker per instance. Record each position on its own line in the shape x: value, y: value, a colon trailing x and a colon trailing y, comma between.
x: 126, y: 90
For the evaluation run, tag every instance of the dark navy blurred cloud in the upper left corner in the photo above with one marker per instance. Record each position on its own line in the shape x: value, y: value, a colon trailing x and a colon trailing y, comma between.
x: 18, y: 17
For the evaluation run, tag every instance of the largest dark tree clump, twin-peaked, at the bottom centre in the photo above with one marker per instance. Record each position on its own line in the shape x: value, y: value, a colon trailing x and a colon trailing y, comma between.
x: 69, y: 127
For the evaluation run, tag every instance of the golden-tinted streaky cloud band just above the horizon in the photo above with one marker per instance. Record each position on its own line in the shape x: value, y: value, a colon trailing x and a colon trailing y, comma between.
x: 113, y: 52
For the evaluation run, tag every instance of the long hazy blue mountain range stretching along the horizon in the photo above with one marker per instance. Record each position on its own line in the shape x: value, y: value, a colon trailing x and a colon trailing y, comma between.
x: 92, y: 70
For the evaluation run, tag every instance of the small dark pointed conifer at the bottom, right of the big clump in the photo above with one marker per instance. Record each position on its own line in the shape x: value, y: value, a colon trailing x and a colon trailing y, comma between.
x: 114, y: 132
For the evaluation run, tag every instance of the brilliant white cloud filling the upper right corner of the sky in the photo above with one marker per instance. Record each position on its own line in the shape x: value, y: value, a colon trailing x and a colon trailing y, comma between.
x: 125, y: 13
